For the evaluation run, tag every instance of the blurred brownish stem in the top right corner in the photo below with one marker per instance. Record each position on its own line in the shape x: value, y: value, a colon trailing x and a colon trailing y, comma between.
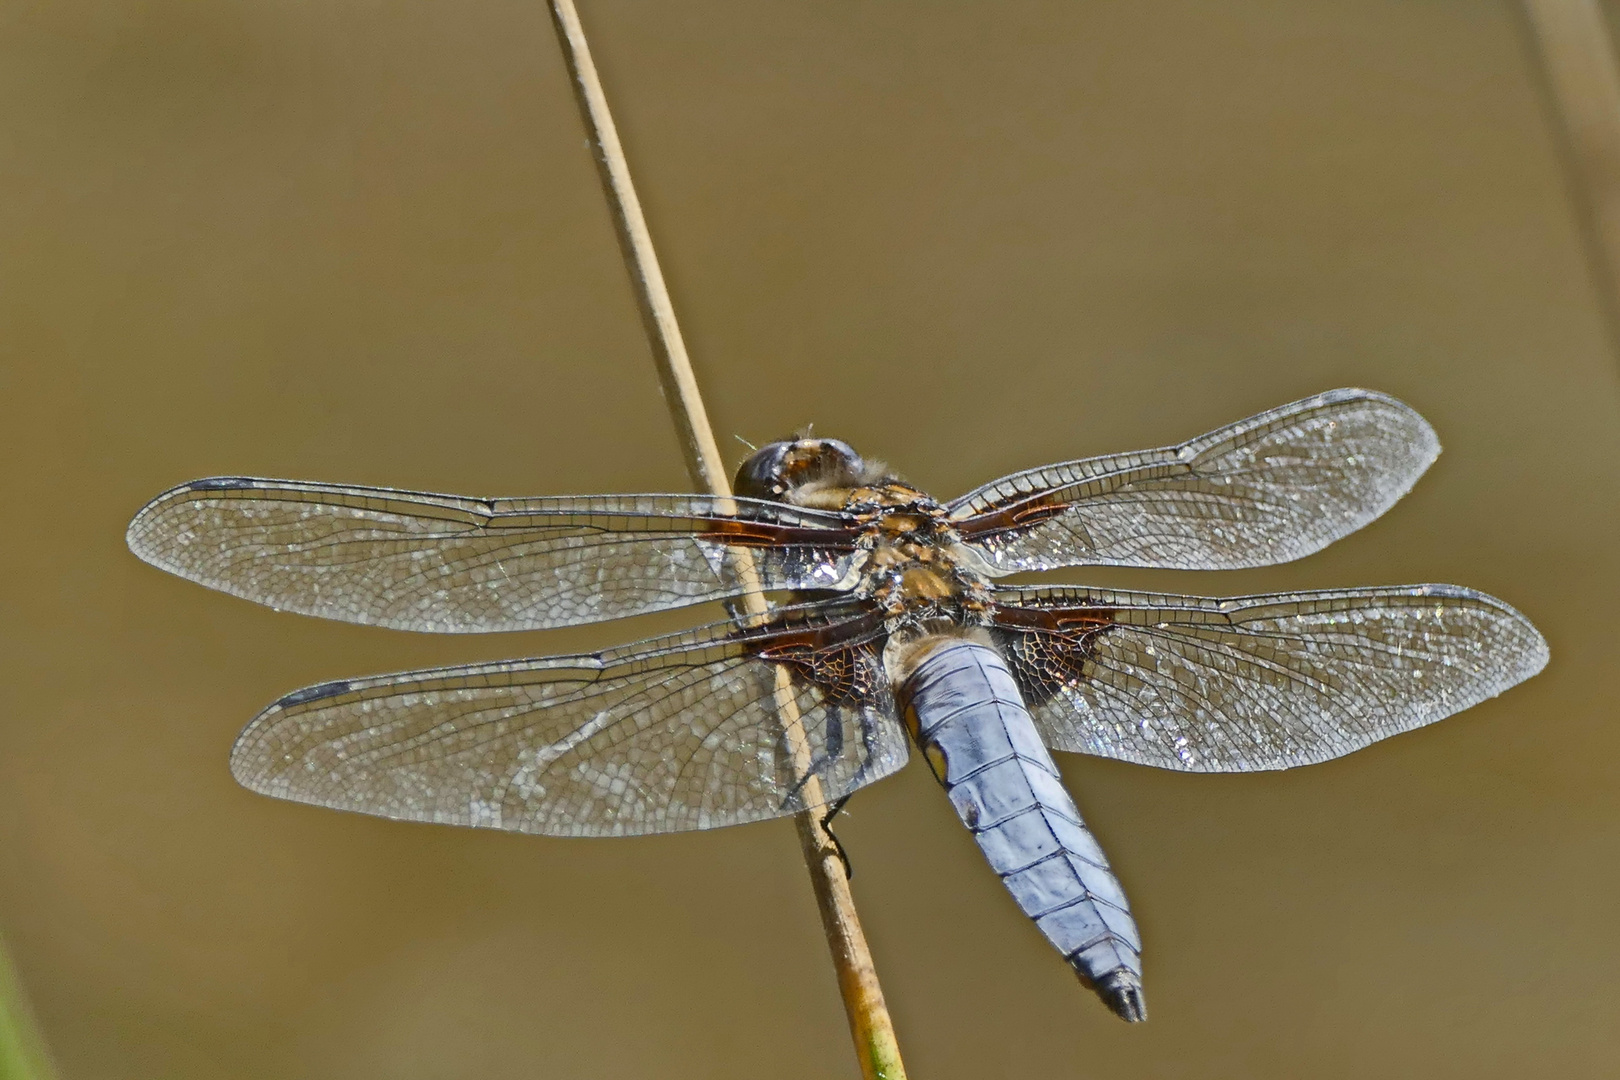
x: 1579, y: 56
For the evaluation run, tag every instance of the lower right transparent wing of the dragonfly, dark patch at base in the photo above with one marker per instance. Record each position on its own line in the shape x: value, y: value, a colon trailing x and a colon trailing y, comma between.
x: 1256, y: 682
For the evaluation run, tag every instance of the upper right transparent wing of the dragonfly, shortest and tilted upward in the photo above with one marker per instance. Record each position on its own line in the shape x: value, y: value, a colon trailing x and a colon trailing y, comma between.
x: 1266, y: 490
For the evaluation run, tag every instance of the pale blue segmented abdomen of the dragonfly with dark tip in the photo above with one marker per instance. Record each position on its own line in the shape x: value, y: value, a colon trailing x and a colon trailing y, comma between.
x: 970, y: 720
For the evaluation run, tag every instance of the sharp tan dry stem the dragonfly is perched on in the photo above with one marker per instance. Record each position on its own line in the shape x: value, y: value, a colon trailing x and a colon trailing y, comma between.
x: 869, y: 1018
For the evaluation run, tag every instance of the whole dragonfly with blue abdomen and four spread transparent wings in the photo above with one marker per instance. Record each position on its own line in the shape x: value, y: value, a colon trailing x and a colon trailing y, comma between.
x: 863, y: 618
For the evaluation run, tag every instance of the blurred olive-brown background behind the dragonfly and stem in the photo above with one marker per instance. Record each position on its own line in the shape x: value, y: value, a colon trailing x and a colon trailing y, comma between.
x: 365, y: 242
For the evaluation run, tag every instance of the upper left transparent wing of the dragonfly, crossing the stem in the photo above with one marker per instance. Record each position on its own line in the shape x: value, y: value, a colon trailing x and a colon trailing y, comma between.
x: 416, y: 561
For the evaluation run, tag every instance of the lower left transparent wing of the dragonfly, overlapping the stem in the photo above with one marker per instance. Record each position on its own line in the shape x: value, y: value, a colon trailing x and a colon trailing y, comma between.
x: 678, y: 733
